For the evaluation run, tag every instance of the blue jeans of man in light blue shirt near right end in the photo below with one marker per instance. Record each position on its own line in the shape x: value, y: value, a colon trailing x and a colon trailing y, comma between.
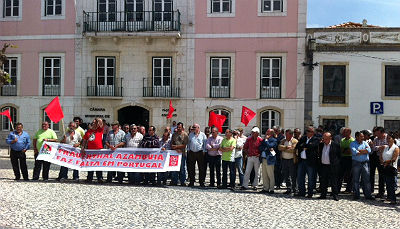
x: 361, y: 169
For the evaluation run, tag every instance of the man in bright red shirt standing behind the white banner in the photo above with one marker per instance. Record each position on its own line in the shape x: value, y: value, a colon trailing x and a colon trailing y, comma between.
x: 93, y: 139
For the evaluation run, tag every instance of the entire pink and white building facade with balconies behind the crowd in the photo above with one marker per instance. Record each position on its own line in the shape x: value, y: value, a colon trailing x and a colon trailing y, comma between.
x: 126, y: 59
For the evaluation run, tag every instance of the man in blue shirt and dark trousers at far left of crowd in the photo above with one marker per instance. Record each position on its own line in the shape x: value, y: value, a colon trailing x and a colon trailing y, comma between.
x: 19, y: 142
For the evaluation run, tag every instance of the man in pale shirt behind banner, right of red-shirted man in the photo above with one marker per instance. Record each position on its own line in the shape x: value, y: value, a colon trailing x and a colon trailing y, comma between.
x: 115, y: 139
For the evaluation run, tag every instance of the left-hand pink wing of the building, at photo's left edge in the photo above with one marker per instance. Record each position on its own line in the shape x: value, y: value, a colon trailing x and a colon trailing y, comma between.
x: 43, y: 64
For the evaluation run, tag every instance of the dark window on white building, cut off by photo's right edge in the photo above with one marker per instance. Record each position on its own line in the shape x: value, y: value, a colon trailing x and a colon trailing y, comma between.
x: 392, y: 80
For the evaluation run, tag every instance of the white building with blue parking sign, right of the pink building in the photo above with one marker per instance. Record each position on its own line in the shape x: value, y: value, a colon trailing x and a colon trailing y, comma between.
x: 358, y: 65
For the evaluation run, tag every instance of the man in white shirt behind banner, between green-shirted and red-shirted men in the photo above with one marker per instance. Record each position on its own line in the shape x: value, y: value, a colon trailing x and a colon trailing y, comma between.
x: 73, y: 138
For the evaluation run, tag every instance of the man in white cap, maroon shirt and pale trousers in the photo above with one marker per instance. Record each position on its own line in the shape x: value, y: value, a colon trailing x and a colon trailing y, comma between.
x: 253, y: 153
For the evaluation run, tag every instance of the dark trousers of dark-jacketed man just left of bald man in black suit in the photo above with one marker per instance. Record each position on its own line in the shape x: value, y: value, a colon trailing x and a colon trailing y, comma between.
x: 303, y: 169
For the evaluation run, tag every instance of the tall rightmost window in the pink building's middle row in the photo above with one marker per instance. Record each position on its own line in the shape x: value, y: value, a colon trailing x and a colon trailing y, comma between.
x: 271, y: 70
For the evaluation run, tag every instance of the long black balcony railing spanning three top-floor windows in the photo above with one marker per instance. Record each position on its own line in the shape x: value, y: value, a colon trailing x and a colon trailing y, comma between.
x: 136, y: 21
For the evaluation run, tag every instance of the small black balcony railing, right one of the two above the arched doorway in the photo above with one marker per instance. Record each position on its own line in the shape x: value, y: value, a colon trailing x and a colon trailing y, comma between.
x: 173, y: 90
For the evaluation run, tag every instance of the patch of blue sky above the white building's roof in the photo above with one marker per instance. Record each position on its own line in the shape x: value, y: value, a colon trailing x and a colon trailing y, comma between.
x: 322, y: 13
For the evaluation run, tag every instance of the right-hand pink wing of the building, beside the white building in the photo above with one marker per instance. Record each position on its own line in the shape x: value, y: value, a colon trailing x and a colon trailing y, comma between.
x: 249, y: 53
